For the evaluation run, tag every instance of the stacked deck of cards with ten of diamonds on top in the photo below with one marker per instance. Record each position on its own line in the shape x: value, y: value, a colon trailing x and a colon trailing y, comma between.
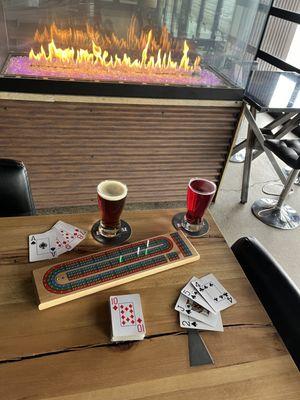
x: 127, y: 319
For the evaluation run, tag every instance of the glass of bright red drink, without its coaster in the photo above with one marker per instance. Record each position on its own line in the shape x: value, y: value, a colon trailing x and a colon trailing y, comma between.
x: 199, y: 196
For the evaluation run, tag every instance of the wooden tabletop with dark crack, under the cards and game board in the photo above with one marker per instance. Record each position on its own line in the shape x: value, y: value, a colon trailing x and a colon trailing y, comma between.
x: 65, y: 352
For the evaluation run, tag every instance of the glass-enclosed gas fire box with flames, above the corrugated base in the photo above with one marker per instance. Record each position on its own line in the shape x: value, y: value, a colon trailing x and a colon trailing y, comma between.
x: 200, y: 49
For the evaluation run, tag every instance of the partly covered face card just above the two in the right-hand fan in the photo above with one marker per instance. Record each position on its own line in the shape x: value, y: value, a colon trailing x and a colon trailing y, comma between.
x: 194, y: 310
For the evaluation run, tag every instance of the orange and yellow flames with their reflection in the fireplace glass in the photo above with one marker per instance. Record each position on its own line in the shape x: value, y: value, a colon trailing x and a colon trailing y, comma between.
x: 91, y: 50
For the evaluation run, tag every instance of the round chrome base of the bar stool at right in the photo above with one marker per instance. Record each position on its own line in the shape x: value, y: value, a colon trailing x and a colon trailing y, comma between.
x: 266, y: 211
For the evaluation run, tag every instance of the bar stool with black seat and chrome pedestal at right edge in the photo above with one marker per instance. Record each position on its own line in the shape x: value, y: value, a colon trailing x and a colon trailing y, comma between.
x: 274, y: 212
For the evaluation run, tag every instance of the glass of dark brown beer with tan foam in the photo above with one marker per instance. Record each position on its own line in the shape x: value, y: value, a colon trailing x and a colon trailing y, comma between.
x: 111, y: 201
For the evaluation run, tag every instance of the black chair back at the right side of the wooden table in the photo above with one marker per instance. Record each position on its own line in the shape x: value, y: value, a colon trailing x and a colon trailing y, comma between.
x: 277, y: 292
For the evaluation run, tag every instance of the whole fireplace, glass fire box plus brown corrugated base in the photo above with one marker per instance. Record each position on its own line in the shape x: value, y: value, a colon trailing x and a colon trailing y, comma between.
x: 143, y: 91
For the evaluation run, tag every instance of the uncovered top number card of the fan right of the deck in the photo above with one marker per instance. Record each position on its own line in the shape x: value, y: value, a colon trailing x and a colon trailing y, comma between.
x: 213, y: 292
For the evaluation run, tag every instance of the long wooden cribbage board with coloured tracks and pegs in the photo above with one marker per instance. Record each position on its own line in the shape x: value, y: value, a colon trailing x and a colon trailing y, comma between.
x: 82, y: 276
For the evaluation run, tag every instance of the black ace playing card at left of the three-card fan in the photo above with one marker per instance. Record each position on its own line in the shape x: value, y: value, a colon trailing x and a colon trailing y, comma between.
x: 42, y: 246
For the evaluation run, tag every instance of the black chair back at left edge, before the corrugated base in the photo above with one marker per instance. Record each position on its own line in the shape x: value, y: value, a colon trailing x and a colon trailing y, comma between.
x: 15, y: 193
